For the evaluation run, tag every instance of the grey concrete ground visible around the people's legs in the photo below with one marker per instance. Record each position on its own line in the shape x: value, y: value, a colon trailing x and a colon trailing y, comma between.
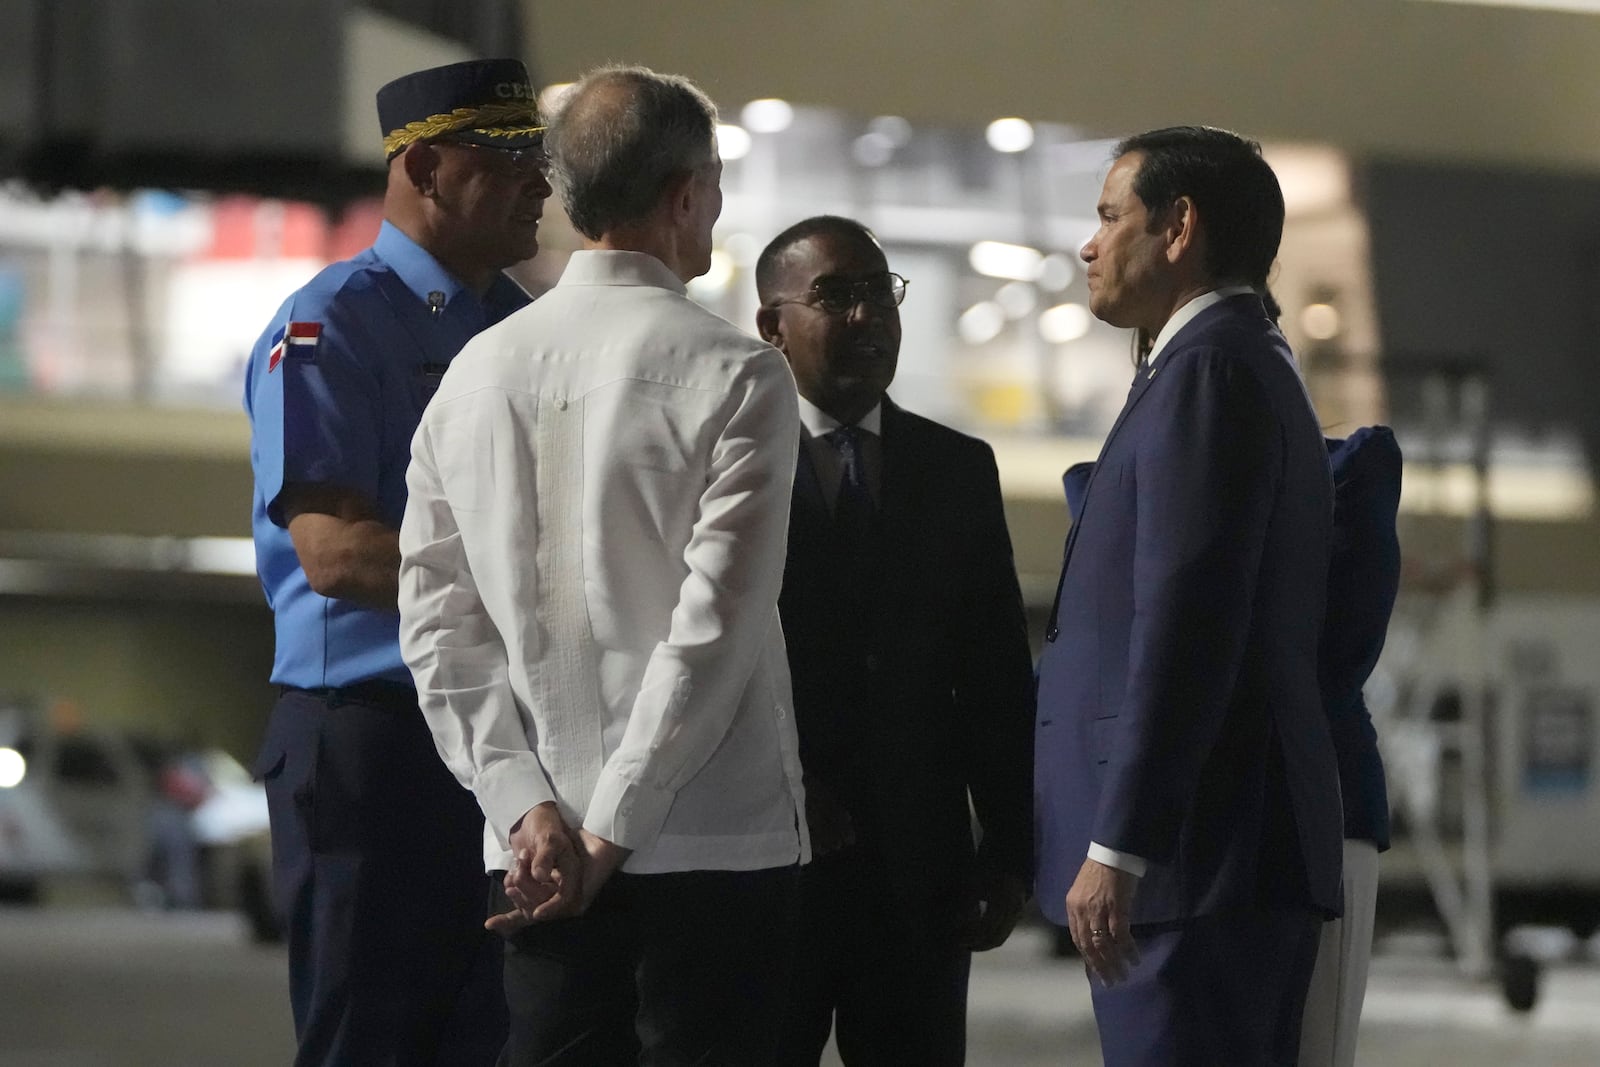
x: 111, y: 988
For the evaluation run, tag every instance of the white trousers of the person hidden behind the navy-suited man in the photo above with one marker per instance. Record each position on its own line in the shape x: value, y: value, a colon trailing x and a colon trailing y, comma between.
x: 1338, y: 985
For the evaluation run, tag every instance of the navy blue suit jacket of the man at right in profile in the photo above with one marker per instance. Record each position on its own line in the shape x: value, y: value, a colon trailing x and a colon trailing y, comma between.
x: 1180, y: 716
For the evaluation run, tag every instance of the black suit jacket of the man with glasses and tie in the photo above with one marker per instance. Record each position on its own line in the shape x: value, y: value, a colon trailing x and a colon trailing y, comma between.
x: 913, y: 673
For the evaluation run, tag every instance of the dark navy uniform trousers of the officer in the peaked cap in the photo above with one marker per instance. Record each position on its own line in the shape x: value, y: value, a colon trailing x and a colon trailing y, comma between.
x: 378, y: 869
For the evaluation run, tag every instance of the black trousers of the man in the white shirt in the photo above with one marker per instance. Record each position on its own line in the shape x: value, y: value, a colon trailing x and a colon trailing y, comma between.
x: 663, y: 970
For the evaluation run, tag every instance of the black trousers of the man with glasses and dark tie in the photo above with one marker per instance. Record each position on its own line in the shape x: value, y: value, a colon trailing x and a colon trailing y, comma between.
x: 878, y: 967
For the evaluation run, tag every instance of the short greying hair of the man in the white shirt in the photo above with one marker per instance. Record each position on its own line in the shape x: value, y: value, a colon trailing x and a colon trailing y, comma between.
x: 620, y: 138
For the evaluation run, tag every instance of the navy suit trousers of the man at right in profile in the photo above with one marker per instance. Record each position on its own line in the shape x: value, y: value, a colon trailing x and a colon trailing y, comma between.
x: 1220, y: 991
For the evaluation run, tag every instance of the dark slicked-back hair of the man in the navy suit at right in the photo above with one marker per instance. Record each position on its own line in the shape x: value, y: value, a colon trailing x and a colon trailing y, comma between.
x: 1234, y: 190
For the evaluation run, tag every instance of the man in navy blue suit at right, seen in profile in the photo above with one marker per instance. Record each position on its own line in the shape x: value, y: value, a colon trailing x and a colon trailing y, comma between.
x: 1188, y: 794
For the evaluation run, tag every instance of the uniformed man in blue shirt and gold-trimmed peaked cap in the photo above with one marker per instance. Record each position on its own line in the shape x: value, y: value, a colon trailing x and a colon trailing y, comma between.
x: 377, y: 849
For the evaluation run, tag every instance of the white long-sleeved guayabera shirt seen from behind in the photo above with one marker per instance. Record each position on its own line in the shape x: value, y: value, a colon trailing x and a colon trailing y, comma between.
x: 591, y: 562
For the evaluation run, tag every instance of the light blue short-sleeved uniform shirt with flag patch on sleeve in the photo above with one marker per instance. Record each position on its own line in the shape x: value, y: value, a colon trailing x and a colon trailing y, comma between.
x: 335, y: 390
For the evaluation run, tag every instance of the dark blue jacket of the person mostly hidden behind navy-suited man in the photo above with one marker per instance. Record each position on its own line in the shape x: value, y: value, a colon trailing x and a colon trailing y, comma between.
x: 1364, y: 578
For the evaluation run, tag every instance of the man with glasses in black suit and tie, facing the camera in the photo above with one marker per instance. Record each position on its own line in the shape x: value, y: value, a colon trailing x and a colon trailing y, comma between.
x: 911, y: 671
